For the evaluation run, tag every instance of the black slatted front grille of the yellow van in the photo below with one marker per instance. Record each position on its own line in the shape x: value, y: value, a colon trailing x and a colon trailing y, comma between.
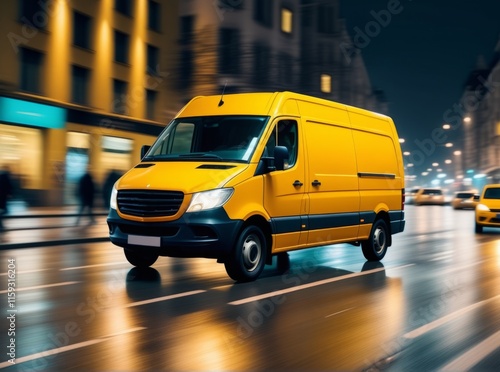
x: 149, y: 203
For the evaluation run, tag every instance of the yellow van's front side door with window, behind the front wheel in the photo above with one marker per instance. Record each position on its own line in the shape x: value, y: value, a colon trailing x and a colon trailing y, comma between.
x: 284, y: 190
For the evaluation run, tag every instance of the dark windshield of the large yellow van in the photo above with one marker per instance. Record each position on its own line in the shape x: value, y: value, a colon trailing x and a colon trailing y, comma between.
x: 209, y: 138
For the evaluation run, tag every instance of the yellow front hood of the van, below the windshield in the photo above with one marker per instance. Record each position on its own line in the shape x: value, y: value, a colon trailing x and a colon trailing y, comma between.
x: 188, y: 177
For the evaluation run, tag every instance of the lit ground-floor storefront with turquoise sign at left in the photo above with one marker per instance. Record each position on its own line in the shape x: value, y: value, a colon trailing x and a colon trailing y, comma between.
x: 48, y: 148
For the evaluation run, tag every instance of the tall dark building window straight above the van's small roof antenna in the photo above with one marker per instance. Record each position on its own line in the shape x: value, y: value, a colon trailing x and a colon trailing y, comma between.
x: 229, y: 51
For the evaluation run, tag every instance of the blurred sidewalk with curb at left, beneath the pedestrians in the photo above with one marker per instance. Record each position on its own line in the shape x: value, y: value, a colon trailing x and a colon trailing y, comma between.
x: 39, y: 227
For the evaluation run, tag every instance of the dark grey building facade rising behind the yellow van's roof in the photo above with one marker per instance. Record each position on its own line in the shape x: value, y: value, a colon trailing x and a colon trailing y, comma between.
x: 263, y: 45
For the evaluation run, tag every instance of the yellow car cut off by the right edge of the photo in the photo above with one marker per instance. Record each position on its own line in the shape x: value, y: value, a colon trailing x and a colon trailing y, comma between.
x: 488, y: 208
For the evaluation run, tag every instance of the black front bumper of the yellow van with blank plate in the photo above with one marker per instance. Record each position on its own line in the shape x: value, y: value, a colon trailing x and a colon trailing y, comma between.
x: 209, y: 234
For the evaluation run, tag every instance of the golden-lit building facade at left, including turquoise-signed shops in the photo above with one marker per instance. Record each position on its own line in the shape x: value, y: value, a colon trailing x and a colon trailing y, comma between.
x: 82, y: 83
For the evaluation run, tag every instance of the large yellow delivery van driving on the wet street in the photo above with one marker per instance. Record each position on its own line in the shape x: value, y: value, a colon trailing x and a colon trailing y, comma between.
x: 243, y: 177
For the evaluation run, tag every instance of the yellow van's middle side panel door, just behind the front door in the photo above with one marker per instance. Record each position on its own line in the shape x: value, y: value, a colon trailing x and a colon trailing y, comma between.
x: 332, y: 185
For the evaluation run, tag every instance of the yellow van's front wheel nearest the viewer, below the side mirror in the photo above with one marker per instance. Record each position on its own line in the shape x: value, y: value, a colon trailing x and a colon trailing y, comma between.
x: 248, y: 256
